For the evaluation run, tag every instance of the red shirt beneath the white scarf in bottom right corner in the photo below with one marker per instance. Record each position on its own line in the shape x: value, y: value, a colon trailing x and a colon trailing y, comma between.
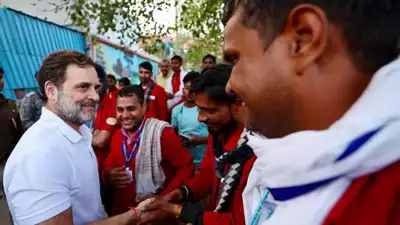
x: 373, y: 199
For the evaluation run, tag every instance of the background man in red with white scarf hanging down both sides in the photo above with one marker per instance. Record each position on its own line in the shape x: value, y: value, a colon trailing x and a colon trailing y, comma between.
x: 175, y: 83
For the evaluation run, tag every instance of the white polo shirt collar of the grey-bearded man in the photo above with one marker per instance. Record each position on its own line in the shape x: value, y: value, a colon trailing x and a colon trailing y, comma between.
x: 66, y: 130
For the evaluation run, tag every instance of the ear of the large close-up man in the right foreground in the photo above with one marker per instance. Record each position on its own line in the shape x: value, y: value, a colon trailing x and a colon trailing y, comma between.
x: 307, y: 29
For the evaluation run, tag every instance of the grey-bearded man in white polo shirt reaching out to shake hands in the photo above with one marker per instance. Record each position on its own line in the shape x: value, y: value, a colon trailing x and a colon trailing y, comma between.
x: 51, y: 177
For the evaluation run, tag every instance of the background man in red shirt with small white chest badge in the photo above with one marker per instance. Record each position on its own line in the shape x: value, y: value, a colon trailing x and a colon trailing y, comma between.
x: 155, y: 96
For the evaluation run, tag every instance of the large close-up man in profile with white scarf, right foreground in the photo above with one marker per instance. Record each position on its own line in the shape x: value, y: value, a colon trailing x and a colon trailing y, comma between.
x: 320, y: 80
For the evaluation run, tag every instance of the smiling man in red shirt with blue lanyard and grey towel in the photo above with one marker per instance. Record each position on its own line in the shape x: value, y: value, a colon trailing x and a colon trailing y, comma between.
x: 146, y: 156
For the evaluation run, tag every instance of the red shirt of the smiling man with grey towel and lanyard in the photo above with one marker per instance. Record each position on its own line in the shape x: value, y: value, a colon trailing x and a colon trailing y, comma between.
x: 177, y: 164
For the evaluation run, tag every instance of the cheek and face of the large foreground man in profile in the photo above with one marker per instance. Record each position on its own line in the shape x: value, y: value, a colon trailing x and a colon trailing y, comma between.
x: 261, y: 78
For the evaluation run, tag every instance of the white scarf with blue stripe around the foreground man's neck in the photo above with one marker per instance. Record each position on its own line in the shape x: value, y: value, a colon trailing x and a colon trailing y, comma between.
x: 365, y: 140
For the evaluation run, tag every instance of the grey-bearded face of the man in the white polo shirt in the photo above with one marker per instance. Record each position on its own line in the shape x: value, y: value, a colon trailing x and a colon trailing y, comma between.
x: 75, y: 100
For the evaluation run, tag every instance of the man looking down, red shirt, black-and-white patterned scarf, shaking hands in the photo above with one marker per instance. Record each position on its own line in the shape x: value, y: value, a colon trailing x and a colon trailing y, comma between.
x: 226, y: 165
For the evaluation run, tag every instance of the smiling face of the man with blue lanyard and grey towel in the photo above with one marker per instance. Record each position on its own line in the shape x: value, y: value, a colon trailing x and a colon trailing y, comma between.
x: 130, y: 112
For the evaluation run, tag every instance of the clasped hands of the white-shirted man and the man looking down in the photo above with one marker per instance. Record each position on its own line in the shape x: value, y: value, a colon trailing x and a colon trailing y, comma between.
x: 159, y: 208
